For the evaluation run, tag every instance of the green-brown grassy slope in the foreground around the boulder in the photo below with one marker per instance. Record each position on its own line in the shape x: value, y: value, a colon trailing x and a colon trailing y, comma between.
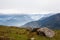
x: 14, y: 33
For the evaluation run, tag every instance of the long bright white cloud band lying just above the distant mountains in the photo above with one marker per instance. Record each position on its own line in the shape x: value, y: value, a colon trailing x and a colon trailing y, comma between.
x: 15, y: 11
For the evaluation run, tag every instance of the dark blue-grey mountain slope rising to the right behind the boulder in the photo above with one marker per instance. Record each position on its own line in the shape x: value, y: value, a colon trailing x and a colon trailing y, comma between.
x: 52, y: 22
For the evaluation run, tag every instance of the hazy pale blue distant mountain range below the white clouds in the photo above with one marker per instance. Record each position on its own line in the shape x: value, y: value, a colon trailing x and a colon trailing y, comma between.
x: 21, y: 19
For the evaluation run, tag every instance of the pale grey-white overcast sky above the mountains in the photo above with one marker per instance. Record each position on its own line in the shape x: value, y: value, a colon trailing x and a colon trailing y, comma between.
x: 29, y: 6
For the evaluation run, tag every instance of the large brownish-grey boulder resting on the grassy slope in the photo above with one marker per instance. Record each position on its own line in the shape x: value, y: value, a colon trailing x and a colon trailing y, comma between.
x: 48, y: 32
